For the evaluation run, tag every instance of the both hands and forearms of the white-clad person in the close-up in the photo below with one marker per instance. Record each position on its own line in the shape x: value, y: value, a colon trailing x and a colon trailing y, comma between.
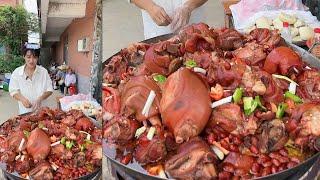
x: 180, y: 17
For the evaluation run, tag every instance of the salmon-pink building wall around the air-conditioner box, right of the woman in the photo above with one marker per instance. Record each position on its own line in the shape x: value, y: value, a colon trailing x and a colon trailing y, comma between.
x: 79, y: 61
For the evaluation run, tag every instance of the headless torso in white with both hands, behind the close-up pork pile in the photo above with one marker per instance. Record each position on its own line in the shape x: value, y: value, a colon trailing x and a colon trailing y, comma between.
x: 168, y: 16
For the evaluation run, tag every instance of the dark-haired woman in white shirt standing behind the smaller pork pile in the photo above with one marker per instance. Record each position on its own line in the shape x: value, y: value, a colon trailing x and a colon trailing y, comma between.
x: 30, y: 84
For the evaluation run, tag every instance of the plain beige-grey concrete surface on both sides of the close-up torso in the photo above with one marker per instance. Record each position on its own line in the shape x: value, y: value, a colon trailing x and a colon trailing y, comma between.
x: 122, y: 23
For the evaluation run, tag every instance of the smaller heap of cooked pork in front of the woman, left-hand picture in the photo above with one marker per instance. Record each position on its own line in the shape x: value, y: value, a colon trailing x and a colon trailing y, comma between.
x: 51, y: 144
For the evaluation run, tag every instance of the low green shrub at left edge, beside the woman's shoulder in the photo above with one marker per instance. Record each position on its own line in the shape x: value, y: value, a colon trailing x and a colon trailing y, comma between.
x: 9, y: 63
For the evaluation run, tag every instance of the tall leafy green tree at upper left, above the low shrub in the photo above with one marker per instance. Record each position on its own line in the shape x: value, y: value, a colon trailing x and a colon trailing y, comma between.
x: 15, y: 22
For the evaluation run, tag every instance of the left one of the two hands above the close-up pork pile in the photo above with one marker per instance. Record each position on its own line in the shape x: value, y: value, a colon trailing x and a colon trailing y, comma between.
x: 159, y: 15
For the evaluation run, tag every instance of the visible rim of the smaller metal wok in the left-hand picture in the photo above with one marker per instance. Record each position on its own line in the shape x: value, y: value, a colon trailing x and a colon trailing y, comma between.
x: 15, y: 176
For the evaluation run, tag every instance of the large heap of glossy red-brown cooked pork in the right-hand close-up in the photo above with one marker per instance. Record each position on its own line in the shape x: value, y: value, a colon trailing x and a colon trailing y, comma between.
x: 212, y: 103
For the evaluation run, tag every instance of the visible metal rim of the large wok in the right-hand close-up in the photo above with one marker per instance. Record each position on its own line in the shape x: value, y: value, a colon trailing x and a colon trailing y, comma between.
x: 134, y: 170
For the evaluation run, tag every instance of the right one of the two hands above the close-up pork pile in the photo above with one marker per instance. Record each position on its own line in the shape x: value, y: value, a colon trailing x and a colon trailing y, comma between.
x: 181, y: 17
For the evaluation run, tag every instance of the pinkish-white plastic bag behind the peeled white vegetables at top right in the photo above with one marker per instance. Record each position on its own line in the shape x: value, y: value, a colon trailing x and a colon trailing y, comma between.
x: 245, y: 9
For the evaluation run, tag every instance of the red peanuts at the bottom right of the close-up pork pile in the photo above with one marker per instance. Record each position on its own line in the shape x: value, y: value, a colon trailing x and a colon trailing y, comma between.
x: 263, y: 165
